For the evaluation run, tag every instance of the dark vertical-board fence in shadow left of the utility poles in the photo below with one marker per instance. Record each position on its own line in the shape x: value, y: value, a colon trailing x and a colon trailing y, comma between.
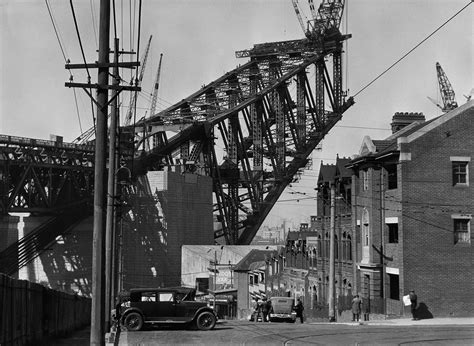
x: 31, y: 312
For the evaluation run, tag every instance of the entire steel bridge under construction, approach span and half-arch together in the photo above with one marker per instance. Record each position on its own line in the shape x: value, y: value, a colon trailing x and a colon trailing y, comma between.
x: 268, y: 114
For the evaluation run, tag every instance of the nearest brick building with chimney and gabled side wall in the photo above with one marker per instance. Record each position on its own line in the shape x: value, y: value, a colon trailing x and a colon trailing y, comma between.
x: 413, y: 204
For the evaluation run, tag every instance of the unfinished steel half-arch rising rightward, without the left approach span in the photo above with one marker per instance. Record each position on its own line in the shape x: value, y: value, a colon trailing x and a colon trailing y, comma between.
x: 265, y: 110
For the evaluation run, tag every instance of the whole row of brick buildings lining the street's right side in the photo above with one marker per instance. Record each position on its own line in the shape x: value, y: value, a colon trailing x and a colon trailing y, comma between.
x: 403, y: 212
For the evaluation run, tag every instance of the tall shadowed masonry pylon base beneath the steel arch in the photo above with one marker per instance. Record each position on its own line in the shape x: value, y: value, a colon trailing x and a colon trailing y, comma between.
x: 152, y: 251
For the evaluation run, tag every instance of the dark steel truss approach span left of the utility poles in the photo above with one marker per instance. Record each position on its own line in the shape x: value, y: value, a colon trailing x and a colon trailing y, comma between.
x: 40, y: 176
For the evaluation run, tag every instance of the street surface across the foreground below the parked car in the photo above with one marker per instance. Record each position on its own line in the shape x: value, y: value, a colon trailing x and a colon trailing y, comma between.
x: 250, y: 333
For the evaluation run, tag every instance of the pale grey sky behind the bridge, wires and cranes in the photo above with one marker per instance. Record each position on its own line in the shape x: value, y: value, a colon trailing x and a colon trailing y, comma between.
x: 198, y: 39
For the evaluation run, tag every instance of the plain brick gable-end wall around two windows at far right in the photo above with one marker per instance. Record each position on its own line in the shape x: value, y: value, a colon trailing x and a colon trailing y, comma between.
x: 440, y: 271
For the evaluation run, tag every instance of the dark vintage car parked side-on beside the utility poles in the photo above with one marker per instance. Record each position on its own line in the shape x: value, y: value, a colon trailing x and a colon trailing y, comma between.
x: 176, y: 305
